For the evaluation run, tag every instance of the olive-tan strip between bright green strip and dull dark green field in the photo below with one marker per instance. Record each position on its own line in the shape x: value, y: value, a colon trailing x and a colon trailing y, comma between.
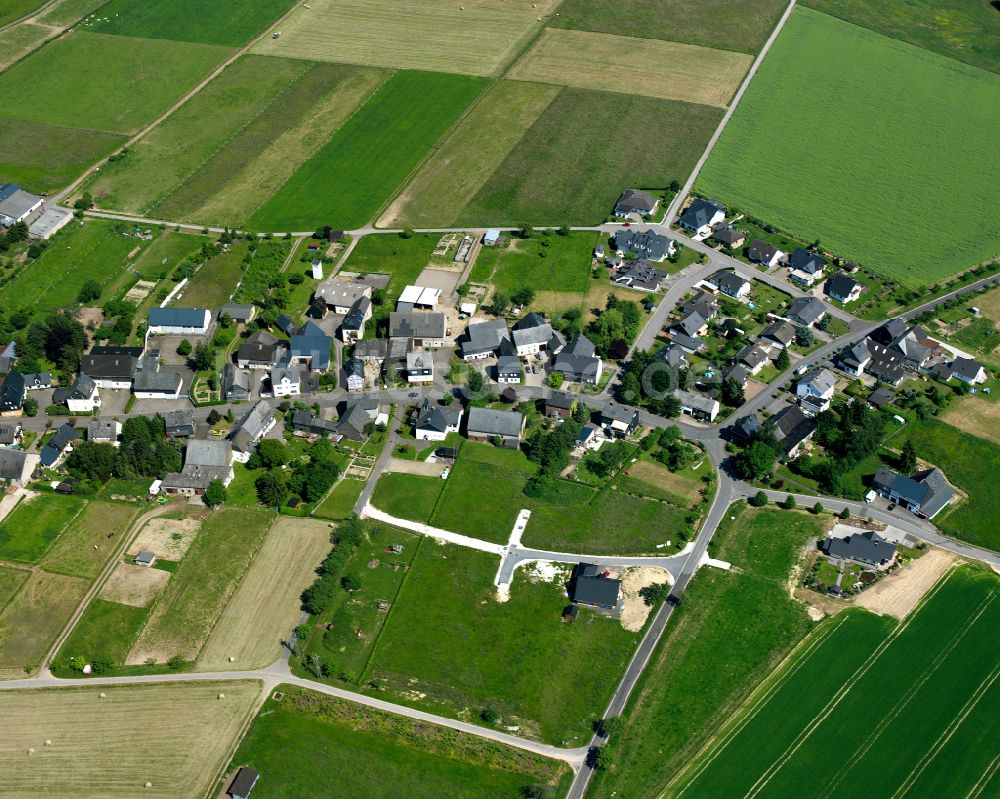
x: 460, y: 165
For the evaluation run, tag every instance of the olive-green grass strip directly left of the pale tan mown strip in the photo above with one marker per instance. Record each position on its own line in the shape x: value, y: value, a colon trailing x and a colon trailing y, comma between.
x: 188, y: 608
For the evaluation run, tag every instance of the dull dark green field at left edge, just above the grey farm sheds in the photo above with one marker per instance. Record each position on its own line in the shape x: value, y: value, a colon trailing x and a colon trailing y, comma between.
x: 57, y: 155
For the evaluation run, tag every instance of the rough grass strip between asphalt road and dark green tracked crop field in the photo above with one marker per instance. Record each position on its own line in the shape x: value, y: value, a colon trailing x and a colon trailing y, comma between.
x: 731, y: 631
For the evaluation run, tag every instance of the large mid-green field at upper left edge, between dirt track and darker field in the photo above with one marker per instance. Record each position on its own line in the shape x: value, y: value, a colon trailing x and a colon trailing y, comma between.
x: 110, y: 83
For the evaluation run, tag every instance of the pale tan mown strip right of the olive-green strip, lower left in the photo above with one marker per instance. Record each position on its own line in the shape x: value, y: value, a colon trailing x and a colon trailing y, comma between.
x: 266, y: 606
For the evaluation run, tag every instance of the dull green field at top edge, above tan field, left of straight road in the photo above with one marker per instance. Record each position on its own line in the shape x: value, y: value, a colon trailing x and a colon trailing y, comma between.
x: 741, y: 27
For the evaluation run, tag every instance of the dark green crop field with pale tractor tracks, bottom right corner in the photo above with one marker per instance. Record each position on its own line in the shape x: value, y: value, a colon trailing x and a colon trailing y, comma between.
x: 819, y: 731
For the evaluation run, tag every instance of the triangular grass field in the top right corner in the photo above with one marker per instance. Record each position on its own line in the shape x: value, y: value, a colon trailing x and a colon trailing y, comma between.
x: 967, y: 31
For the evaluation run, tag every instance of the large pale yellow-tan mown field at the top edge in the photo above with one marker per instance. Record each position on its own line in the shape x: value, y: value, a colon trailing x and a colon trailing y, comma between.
x: 478, y: 37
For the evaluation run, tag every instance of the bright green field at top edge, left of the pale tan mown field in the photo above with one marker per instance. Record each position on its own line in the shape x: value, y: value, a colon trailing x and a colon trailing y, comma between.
x: 201, y: 21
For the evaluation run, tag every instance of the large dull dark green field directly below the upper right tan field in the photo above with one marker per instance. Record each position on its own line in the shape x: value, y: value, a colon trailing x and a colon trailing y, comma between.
x: 541, y: 182
